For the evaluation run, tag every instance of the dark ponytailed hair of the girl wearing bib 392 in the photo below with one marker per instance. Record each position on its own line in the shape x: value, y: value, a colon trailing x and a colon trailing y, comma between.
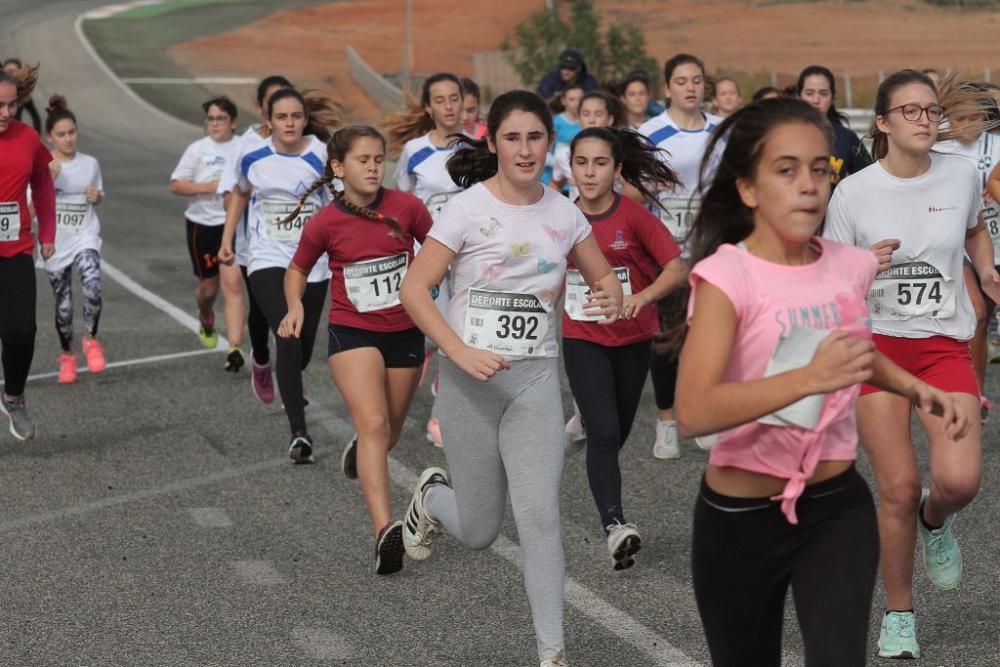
x: 473, y: 162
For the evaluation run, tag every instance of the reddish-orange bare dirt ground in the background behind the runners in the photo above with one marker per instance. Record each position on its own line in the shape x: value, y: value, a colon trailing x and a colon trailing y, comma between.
x: 731, y: 35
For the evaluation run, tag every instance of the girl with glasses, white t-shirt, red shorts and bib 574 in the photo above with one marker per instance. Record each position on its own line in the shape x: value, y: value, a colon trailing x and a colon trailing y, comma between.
x: 919, y: 212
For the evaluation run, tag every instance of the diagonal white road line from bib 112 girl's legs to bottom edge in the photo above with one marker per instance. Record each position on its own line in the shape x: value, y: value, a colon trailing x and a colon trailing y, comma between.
x: 619, y: 623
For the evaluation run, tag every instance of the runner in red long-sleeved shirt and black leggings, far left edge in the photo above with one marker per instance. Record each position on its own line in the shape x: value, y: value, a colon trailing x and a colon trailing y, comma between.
x: 24, y: 161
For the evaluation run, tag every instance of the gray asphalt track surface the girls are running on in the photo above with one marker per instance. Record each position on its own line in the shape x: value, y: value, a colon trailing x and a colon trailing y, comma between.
x: 157, y: 521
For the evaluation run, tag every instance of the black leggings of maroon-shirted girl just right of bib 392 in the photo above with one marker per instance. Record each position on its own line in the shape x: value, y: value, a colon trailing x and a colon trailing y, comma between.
x: 607, y: 384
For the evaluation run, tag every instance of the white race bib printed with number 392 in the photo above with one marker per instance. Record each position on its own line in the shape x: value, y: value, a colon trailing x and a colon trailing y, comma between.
x: 506, y: 323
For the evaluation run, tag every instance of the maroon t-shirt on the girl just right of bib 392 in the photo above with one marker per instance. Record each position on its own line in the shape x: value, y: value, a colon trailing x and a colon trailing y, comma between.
x: 631, y: 238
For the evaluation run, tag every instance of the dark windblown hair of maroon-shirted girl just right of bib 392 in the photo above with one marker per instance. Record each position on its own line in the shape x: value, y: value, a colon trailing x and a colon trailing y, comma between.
x: 639, y: 159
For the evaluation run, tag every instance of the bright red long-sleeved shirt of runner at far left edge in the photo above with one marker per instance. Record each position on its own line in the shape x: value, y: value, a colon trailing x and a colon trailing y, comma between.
x: 24, y: 161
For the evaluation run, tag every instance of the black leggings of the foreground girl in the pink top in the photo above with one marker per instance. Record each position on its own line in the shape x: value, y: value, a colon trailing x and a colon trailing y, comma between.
x: 745, y: 554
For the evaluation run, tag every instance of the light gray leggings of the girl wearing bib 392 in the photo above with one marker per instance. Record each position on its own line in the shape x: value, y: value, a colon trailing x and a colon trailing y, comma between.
x: 508, y: 433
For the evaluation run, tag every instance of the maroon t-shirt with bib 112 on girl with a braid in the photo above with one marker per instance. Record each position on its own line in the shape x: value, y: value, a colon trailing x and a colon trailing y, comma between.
x: 368, y: 261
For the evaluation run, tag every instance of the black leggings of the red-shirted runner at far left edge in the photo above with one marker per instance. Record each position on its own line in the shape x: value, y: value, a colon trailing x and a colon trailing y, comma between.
x: 17, y: 320
